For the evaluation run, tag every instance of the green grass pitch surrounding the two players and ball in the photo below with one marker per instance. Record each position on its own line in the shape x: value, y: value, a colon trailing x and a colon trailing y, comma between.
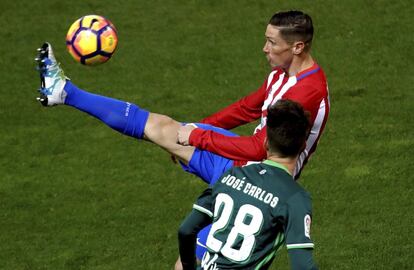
x: 76, y: 195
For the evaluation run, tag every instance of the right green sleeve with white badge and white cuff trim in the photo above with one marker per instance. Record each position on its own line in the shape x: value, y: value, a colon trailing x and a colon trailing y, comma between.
x: 299, y: 217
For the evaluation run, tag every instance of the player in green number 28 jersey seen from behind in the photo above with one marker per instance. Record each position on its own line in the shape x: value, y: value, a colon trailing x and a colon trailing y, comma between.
x: 256, y: 208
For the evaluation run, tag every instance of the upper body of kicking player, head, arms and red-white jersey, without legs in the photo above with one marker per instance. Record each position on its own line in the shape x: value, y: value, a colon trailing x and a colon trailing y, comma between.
x: 295, y: 76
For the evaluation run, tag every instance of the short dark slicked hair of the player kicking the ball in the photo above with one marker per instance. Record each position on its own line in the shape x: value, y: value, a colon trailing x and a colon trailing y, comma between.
x: 294, y: 26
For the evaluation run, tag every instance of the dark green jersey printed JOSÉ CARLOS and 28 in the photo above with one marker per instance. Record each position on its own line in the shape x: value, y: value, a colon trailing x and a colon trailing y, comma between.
x: 255, y: 209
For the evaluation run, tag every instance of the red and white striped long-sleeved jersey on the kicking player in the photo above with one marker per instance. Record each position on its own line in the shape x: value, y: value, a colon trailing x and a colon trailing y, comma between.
x: 309, y: 88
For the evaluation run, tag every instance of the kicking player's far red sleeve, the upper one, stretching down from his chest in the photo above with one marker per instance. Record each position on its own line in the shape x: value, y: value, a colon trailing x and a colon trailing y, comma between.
x: 245, y: 110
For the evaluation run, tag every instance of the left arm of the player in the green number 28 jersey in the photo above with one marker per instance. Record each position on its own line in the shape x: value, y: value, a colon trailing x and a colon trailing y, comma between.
x: 199, y: 217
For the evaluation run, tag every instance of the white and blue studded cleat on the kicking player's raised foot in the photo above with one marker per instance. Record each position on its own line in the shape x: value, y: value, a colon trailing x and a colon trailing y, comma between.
x: 52, y: 78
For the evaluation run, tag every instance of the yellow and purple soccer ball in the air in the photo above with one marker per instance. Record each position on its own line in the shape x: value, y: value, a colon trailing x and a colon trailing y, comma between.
x: 91, y: 40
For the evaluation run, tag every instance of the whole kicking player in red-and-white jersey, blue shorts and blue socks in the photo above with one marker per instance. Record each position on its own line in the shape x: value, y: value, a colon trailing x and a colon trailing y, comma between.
x: 210, y: 149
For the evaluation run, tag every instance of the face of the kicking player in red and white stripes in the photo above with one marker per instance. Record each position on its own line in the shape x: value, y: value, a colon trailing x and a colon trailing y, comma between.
x: 278, y: 52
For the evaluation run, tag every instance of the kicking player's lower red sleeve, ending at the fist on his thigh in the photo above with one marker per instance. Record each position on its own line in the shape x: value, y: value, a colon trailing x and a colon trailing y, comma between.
x: 235, y: 148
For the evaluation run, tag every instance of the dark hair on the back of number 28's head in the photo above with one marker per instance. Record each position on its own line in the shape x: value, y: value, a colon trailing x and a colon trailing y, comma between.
x: 287, y: 128
